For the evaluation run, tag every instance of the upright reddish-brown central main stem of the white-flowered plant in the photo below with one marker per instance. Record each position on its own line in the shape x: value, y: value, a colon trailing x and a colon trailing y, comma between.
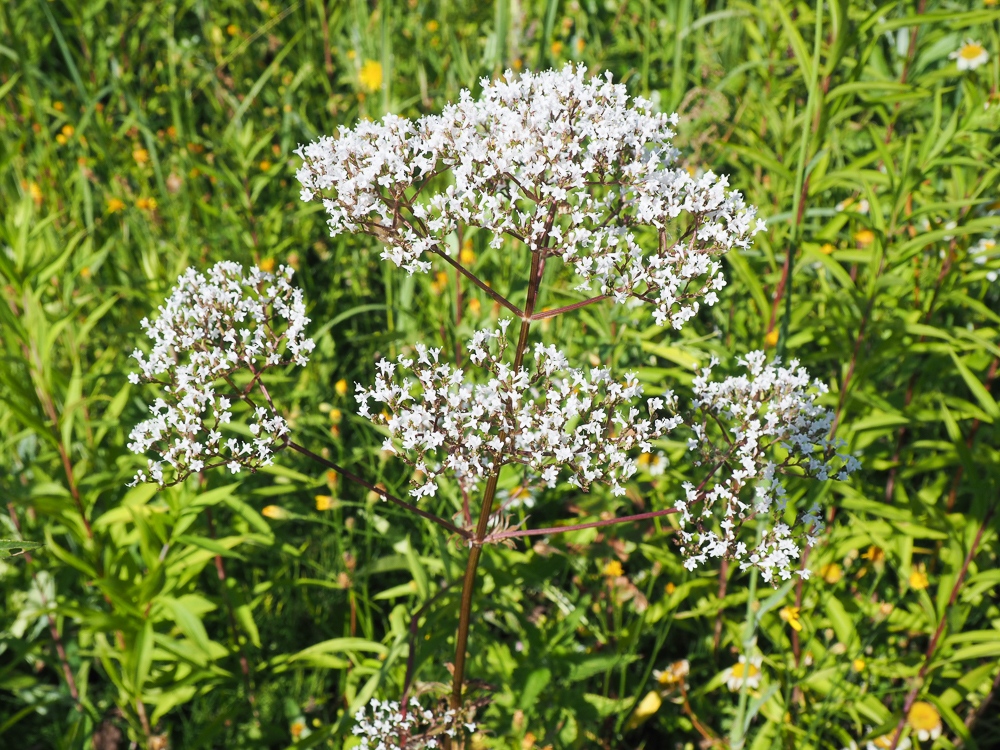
x: 469, y: 582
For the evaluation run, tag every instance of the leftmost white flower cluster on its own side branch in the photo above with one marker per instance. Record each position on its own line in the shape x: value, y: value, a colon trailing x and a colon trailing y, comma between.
x: 213, y: 331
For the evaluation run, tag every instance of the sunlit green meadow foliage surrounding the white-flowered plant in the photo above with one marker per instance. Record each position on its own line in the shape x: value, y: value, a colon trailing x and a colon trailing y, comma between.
x: 137, y: 139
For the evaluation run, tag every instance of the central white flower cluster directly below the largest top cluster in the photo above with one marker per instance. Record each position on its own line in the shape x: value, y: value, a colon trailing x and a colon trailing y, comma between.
x: 556, y: 417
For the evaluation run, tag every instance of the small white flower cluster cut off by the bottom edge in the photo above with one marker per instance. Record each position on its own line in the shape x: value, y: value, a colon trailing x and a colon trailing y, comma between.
x: 391, y: 728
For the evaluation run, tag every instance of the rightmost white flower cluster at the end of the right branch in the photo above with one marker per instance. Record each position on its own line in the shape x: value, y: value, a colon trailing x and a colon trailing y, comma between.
x: 767, y: 421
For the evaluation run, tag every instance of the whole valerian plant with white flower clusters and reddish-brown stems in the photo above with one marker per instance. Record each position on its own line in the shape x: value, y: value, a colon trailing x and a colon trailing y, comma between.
x: 559, y: 169
